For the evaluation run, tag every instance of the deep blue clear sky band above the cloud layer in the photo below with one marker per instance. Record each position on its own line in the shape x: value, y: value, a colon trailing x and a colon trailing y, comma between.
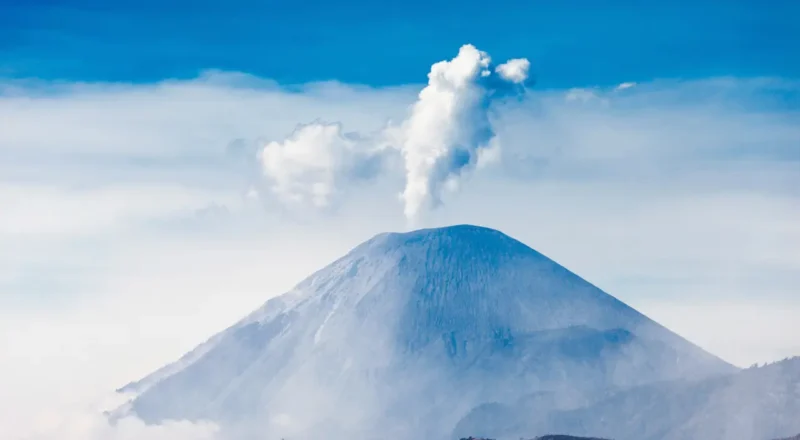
x: 571, y: 43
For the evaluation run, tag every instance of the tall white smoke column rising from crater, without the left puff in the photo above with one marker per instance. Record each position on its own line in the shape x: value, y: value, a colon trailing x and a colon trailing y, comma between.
x: 449, y: 124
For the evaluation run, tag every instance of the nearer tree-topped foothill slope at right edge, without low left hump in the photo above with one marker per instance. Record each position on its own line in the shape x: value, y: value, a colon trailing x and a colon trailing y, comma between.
x: 754, y: 404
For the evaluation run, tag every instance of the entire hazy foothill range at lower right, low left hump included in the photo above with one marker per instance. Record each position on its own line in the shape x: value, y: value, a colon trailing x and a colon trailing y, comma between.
x: 754, y: 404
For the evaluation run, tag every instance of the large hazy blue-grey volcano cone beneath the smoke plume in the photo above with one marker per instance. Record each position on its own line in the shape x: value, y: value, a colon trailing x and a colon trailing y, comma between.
x: 408, y: 332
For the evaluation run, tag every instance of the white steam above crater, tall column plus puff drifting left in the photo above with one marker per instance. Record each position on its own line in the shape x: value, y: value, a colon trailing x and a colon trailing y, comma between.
x: 447, y: 133
